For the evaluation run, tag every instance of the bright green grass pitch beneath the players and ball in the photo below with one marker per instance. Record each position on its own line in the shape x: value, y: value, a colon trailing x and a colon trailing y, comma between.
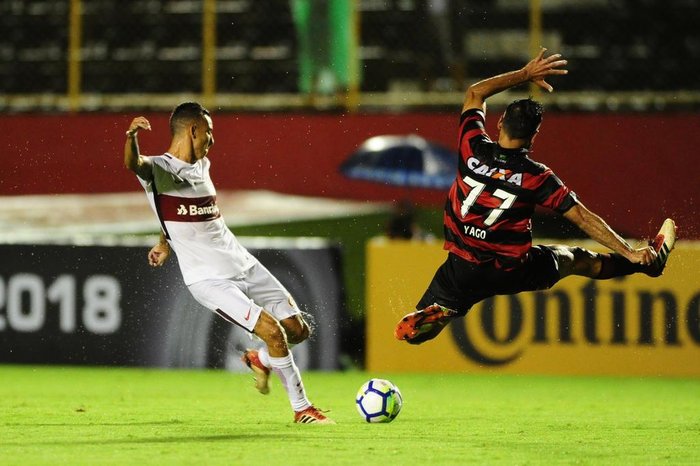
x: 102, y: 416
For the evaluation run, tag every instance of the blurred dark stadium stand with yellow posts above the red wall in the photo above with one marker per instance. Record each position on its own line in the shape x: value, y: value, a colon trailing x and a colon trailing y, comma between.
x: 96, y: 55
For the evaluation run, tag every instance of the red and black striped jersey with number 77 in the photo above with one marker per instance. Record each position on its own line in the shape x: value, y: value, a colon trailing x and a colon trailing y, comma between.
x: 488, y: 212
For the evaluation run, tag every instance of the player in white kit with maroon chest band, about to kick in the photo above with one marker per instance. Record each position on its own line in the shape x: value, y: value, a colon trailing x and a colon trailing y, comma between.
x: 219, y: 272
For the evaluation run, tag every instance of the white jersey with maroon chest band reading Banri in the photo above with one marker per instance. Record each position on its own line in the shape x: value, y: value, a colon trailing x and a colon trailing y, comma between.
x: 183, y: 198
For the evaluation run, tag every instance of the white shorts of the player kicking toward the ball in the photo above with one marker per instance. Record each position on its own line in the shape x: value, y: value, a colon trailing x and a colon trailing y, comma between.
x: 240, y: 299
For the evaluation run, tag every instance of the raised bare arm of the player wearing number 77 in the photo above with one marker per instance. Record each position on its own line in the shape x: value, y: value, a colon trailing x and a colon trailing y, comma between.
x: 536, y: 70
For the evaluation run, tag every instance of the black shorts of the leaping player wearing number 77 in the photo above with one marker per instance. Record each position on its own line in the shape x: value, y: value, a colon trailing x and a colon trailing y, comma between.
x: 459, y: 284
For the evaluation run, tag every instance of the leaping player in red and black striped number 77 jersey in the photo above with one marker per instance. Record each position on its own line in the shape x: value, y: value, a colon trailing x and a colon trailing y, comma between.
x: 489, y: 209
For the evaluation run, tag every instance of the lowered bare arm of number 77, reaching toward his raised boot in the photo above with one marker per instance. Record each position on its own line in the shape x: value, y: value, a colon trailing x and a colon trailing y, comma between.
x: 597, y: 229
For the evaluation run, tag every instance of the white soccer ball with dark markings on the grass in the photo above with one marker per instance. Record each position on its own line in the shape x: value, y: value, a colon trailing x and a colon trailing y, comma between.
x: 378, y: 400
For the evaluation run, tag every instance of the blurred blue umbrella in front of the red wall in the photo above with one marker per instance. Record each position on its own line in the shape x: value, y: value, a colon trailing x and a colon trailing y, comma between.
x: 402, y: 161
